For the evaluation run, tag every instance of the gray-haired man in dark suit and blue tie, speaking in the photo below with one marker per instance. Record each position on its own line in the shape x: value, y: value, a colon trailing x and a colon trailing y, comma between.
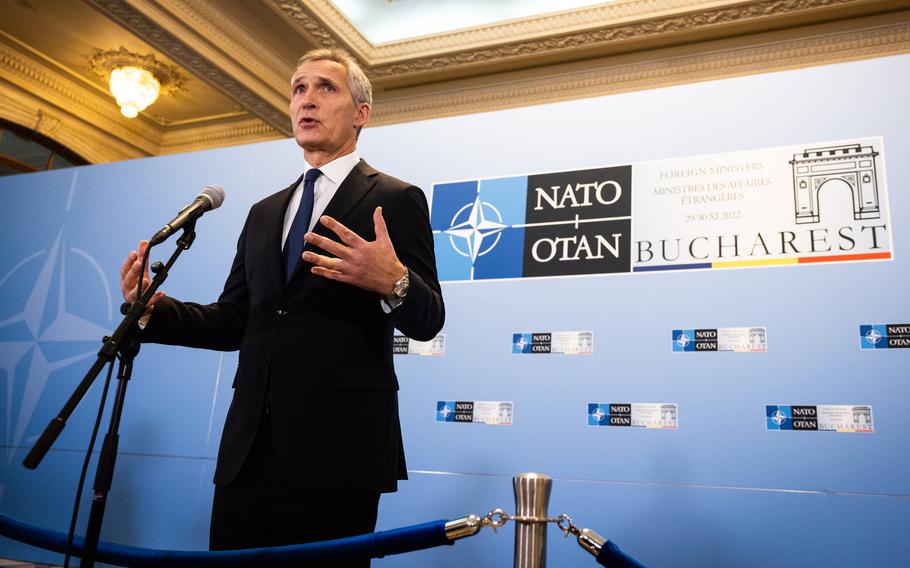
x: 314, y: 330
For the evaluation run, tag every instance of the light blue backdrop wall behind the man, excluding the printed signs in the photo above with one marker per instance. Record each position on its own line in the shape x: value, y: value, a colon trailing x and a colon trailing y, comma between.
x: 721, y: 490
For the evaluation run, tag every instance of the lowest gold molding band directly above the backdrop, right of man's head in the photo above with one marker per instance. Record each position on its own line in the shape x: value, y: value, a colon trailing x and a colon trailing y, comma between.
x: 605, y: 80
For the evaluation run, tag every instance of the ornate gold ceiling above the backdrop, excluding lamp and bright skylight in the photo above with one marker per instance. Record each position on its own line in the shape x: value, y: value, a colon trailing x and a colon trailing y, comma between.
x: 236, y: 57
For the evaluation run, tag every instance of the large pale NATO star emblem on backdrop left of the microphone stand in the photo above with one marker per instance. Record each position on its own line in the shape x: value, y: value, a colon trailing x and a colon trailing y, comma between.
x: 42, y: 334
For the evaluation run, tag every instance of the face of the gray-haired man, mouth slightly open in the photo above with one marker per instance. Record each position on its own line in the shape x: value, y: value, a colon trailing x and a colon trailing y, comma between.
x: 323, y: 114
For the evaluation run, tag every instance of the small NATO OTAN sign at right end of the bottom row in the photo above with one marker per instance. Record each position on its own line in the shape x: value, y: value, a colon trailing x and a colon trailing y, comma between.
x: 820, y: 417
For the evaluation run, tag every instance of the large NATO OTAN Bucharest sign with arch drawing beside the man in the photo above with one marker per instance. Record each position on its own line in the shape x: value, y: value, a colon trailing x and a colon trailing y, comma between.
x: 797, y: 204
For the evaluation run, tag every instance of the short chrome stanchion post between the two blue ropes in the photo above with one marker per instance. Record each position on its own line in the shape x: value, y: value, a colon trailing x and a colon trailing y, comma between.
x: 532, y: 496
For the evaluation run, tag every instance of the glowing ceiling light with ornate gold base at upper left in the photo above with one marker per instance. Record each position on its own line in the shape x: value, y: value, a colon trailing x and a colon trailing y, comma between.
x: 135, y: 80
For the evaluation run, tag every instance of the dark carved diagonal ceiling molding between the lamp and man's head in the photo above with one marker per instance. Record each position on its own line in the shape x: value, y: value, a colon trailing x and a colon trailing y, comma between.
x: 150, y: 31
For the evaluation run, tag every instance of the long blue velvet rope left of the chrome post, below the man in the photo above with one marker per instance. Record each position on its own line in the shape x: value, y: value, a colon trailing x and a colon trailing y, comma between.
x: 374, y: 545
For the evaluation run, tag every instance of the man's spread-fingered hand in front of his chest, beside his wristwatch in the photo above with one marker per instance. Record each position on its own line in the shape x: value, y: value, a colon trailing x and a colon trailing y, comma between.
x: 365, y: 264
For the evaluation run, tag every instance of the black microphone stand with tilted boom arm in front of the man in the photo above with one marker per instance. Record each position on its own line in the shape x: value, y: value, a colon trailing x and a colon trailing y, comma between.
x: 125, y: 343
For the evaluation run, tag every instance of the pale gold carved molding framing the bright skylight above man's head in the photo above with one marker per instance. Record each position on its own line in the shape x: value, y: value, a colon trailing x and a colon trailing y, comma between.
x: 598, y: 28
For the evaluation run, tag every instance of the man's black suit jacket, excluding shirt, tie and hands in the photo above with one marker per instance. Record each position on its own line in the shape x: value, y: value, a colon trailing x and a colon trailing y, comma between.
x: 316, y: 351
